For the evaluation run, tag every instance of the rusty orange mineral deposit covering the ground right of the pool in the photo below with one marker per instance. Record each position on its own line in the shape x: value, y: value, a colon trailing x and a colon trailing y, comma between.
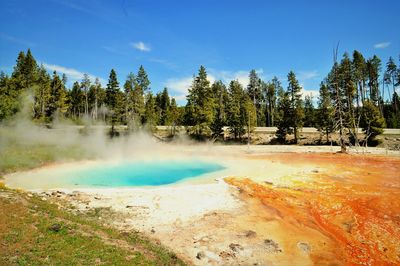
x: 354, y: 200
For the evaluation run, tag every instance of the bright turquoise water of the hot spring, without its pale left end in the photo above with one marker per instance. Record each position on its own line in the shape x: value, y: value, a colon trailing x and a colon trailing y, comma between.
x: 152, y: 173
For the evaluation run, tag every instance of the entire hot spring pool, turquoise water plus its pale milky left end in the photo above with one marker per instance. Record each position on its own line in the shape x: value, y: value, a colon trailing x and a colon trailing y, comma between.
x: 114, y: 174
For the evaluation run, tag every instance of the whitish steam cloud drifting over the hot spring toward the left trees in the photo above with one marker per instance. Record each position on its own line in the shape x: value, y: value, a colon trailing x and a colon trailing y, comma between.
x: 64, y: 141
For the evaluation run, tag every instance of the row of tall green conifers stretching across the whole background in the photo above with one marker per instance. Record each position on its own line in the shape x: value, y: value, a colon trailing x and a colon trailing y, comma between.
x: 351, y: 96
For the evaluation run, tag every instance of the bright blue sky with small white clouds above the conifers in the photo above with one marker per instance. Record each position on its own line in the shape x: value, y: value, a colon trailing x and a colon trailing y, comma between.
x: 171, y: 39
